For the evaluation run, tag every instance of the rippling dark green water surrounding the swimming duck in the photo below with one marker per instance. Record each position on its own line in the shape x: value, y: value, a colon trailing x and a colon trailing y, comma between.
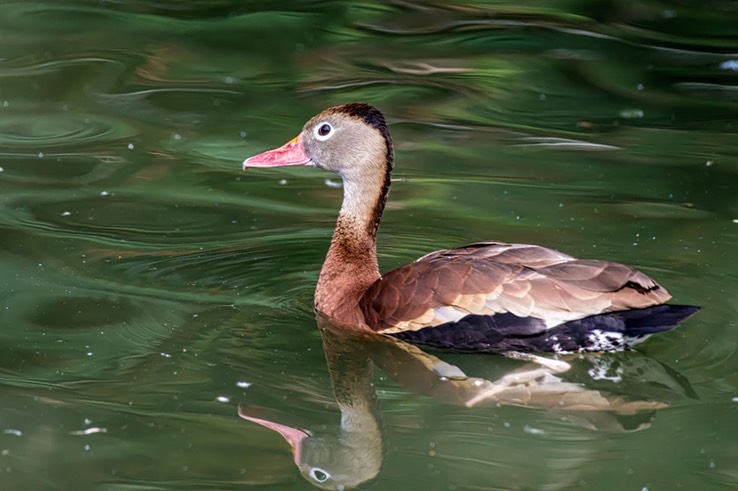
x: 151, y: 290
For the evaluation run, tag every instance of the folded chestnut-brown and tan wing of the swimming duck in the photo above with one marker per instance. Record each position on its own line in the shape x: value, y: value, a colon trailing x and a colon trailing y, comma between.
x: 489, y: 278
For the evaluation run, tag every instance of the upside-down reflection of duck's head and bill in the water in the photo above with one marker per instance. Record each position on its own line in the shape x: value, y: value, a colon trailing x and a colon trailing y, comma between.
x: 333, y: 462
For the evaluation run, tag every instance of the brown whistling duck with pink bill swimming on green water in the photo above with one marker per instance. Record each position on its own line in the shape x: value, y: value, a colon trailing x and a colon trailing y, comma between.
x: 484, y: 296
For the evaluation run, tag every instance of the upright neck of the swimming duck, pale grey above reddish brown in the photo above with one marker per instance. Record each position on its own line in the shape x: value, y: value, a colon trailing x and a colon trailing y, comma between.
x: 351, y: 264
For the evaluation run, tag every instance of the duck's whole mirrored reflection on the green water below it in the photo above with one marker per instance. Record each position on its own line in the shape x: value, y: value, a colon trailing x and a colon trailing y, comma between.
x: 353, y: 455
